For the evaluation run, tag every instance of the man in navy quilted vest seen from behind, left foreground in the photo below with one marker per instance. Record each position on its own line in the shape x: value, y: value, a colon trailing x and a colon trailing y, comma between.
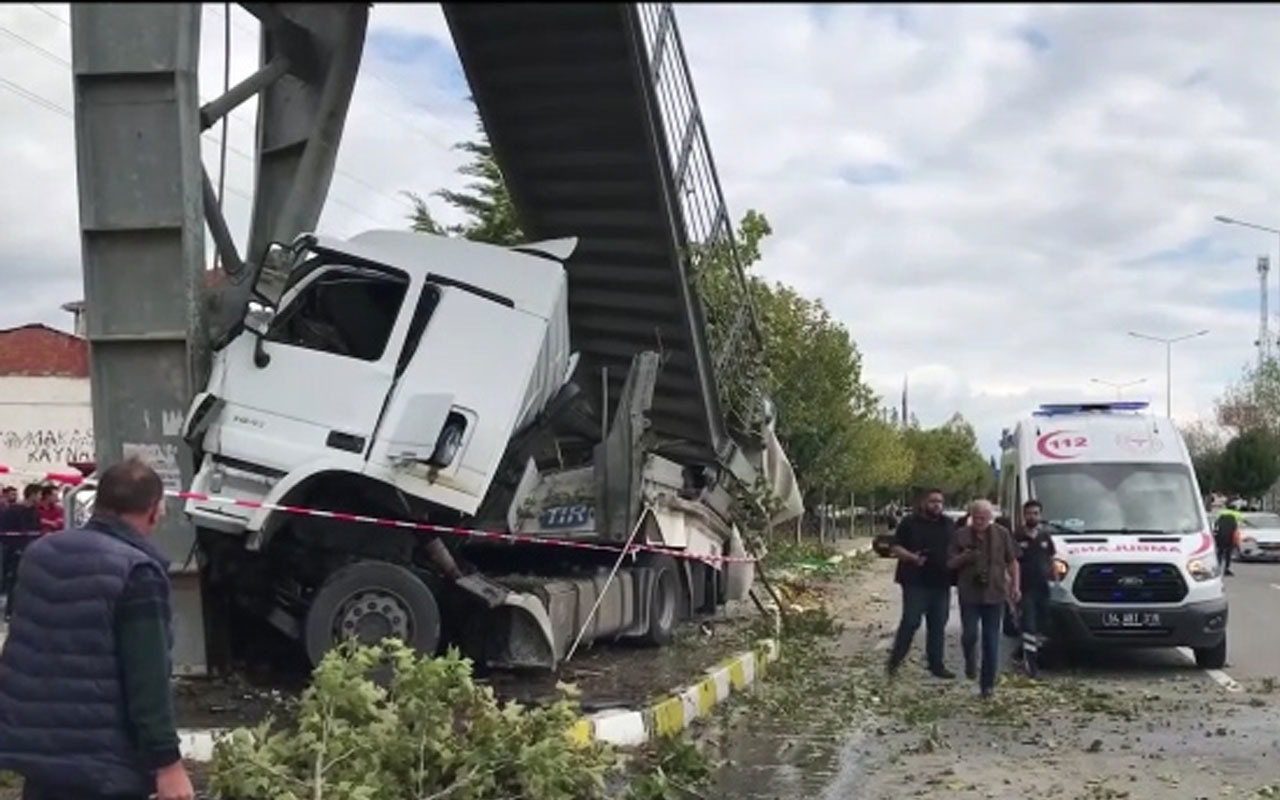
x: 86, y: 708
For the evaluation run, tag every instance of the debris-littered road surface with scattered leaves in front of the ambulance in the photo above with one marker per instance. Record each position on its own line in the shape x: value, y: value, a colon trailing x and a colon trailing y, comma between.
x: 1119, y: 726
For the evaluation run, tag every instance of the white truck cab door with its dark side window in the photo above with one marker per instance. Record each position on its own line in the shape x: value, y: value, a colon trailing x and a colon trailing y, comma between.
x: 314, y: 387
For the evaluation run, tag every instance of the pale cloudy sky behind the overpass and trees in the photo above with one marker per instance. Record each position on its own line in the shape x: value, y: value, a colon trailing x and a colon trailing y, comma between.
x: 989, y: 196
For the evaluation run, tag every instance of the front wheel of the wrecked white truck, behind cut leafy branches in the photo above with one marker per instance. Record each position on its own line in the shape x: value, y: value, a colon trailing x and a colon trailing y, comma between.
x: 372, y: 601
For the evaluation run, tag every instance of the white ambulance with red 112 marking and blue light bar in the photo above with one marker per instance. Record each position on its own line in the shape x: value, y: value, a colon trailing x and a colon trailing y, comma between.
x: 1136, y: 559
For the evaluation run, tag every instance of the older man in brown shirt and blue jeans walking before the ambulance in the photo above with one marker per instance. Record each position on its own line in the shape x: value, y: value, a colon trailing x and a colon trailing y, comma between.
x: 988, y: 561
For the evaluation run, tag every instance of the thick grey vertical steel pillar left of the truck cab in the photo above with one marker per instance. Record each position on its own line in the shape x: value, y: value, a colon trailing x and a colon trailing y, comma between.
x: 141, y: 213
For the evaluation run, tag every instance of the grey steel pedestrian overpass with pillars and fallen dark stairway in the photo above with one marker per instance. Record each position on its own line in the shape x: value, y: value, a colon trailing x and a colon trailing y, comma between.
x: 593, y: 118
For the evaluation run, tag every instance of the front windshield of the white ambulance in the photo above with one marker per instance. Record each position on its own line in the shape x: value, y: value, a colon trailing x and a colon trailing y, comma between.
x: 1122, y: 499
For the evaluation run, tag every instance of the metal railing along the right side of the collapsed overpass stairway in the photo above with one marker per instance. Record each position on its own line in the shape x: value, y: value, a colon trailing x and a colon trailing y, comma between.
x: 708, y: 227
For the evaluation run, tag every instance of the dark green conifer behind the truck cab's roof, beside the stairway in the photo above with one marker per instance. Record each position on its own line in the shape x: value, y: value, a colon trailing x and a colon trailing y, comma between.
x: 486, y: 203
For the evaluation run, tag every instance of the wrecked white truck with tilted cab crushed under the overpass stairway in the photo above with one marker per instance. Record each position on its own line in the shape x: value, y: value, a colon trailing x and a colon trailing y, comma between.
x: 431, y: 380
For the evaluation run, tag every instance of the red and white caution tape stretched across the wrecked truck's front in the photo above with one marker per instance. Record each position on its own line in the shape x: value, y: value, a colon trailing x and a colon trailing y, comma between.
x: 72, y: 479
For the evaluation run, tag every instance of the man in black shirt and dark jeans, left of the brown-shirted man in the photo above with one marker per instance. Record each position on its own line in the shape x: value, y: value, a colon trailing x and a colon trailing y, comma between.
x: 921, y: 546
